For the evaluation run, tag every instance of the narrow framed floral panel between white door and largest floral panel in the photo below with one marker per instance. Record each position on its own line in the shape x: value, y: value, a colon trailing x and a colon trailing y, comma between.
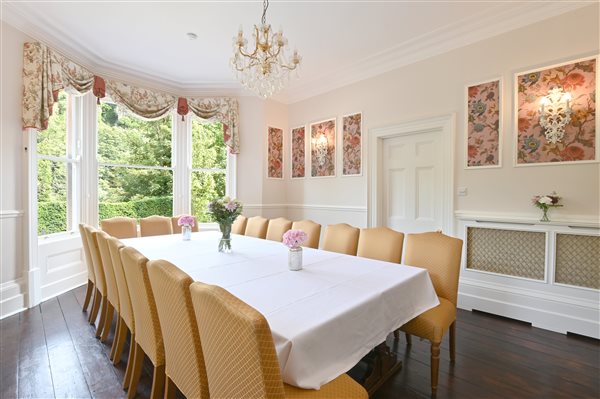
x: 484, y: 125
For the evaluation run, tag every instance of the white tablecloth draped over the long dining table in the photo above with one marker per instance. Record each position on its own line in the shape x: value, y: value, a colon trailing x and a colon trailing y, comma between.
x: 324, y: 318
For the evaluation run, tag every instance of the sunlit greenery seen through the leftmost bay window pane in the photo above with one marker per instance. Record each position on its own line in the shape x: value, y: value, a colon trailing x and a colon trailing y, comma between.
x: 55, y: 171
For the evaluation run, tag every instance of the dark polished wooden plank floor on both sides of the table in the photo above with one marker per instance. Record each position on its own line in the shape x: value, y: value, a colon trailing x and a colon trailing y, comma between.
x: 50, y: 351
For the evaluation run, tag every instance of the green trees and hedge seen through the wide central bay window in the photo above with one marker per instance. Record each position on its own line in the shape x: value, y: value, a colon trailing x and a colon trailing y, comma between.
x: 135, y: 169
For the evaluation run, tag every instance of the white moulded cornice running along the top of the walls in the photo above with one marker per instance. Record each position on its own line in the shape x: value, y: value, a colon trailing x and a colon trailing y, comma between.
x: 492, y: 22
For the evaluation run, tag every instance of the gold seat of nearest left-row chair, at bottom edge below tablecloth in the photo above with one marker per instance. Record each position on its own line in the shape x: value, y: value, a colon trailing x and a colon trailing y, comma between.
x: 342, y: 387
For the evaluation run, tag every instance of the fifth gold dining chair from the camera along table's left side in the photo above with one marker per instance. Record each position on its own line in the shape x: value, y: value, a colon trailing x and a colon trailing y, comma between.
x: 112, y: 293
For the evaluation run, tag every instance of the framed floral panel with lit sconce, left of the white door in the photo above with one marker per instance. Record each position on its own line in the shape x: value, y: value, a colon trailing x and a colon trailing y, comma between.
x: 322, y: 148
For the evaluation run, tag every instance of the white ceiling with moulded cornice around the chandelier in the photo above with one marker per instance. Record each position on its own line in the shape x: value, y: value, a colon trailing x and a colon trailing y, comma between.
x: 340, y: 41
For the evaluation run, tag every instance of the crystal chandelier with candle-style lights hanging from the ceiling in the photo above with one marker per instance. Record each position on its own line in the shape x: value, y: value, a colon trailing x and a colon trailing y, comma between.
x: 265, y: 68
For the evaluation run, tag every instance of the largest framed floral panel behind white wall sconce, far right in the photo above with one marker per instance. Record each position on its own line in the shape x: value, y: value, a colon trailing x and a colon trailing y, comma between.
x: 577, y: 141
